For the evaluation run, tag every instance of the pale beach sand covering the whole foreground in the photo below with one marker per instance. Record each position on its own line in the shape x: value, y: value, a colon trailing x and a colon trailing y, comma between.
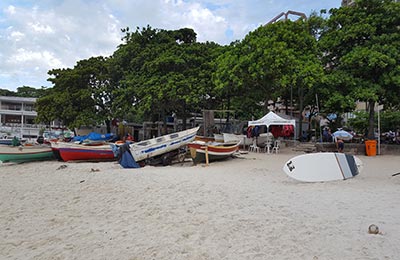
x: 243, y: 208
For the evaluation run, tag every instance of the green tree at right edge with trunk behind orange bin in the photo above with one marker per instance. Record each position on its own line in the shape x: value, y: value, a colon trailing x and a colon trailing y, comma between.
x: 362, y: 52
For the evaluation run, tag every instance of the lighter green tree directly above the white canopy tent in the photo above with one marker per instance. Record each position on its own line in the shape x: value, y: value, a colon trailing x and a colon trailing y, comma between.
x: 276, y: 60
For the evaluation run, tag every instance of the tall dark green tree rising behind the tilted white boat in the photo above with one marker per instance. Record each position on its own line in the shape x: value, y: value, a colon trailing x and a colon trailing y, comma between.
x: 164, y: 72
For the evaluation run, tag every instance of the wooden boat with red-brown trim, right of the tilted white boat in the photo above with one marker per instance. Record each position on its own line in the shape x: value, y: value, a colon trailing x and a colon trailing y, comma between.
x: 215, y: 151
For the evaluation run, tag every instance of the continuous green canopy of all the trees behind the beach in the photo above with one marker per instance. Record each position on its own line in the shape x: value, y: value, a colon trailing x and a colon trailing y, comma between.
x: 351, y: 55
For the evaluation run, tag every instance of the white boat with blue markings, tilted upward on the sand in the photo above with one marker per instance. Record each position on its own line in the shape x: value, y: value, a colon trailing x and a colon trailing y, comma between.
x: 163, y: 144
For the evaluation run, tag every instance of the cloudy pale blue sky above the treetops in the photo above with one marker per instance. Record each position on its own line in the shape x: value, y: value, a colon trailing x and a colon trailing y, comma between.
x: 39, y: 35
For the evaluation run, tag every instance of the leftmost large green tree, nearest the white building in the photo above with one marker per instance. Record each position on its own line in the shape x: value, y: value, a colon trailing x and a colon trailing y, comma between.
x: 81, y: 96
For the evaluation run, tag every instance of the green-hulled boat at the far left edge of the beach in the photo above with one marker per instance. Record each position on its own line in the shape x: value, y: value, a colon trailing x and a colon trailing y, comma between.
x: 21, y: 154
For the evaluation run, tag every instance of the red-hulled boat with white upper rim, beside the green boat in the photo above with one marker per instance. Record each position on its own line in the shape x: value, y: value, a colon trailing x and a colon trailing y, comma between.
x: 78, y: 152
